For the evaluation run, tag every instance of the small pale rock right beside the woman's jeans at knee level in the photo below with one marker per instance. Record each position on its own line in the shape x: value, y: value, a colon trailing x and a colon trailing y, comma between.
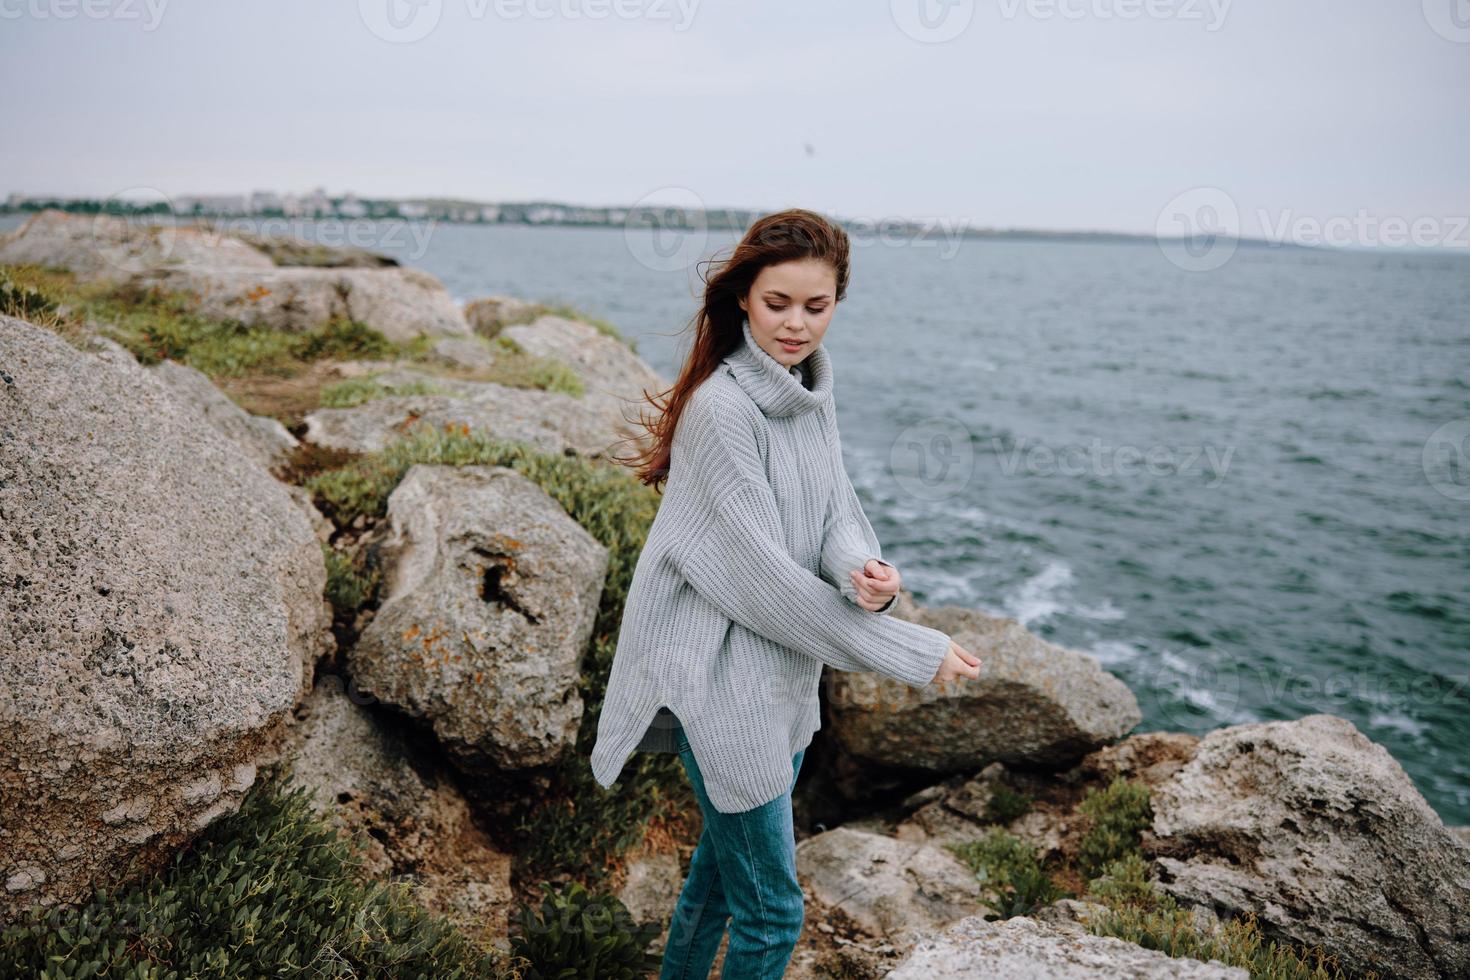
x: 890, y: 888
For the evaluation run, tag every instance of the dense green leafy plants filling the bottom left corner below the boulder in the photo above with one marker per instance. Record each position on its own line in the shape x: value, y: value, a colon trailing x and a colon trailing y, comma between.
x: 270, y: 891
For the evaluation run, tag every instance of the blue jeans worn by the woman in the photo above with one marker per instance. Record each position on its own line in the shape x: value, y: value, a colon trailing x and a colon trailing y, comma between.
x: 745, y: 873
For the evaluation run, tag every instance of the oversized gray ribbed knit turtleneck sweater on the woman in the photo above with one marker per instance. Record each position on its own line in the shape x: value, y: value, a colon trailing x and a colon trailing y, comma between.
x: 742, y: 593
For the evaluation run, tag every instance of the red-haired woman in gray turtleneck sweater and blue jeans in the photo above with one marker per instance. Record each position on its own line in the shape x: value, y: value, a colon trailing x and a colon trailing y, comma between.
x: 759, y: 569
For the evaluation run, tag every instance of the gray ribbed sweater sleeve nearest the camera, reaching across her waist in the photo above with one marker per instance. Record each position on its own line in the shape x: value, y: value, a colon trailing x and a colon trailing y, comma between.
x: 737, y: 562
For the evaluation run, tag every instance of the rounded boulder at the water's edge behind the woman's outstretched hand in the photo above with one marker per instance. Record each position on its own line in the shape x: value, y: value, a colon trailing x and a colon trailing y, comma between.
x: 1034, y: 705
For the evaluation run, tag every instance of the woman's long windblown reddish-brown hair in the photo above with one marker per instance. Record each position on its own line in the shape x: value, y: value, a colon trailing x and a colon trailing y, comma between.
x: 718, y: 325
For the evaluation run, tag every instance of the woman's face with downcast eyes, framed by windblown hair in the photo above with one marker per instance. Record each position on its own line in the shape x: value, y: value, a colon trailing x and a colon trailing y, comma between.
x: 792, y: 300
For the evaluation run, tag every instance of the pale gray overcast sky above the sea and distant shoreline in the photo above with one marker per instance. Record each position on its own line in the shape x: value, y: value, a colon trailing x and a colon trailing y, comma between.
x: 1040, y: 114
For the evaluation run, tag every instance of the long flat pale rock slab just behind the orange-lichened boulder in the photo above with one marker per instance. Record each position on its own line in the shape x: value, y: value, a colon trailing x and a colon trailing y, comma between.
x: 549, y: 421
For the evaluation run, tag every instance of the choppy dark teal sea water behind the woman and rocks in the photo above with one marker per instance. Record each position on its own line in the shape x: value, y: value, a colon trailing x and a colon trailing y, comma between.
x: 1222, y: 484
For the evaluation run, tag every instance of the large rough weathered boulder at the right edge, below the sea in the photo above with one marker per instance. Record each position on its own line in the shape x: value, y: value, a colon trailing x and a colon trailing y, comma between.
x: 1321, y: 834
